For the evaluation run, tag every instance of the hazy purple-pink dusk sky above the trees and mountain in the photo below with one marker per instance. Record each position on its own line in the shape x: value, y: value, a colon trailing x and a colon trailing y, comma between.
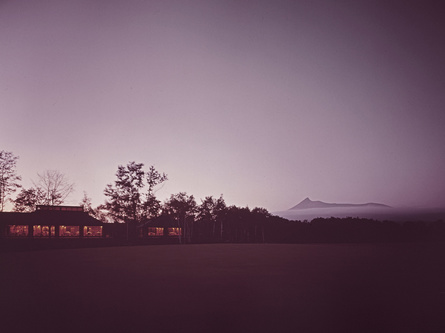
x: 266, y: 102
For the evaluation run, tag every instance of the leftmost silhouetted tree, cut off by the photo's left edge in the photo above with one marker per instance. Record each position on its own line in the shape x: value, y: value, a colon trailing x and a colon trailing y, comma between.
x: 8, y: 176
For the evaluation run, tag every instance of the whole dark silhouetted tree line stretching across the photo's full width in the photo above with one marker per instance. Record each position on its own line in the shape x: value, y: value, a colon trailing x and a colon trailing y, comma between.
x: 131, y: 199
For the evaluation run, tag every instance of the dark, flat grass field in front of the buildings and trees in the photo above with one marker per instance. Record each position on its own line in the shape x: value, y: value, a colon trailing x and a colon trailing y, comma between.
x: 226, y: 288
